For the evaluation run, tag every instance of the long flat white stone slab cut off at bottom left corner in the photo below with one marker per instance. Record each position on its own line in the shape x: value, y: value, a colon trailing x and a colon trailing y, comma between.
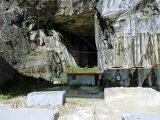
x: 27, y: 114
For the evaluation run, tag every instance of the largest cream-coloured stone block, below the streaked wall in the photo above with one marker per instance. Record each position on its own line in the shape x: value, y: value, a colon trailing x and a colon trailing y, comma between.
x: 132, y: 99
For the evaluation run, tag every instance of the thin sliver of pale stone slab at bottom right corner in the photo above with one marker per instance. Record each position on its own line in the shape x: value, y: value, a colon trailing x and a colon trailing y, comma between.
x: 141, y: 117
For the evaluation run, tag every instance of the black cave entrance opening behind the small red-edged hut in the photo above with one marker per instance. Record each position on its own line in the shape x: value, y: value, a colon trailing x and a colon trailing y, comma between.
x: 83, y: 49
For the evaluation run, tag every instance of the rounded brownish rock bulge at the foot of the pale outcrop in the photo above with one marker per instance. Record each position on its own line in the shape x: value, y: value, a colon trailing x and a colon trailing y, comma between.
x: 39, y: 64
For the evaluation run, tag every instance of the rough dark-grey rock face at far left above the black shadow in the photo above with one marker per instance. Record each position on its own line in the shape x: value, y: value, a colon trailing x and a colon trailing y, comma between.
x: 13, y: 45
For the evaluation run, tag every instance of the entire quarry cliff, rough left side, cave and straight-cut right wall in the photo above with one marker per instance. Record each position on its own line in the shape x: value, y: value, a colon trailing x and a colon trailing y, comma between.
x: 37, y: 37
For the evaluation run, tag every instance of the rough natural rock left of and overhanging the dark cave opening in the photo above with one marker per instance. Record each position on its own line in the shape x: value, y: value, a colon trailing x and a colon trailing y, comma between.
x: 29, y: 40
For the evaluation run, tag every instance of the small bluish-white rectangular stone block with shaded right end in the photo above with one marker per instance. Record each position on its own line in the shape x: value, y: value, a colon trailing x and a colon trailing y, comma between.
x: 51, y: 98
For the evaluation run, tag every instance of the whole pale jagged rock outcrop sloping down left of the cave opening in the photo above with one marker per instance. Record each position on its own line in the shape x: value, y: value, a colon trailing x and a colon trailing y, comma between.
x: 49, y: 55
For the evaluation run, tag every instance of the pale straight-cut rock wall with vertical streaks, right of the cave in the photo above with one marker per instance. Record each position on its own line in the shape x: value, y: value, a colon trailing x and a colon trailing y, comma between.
x: 127, y: 36
